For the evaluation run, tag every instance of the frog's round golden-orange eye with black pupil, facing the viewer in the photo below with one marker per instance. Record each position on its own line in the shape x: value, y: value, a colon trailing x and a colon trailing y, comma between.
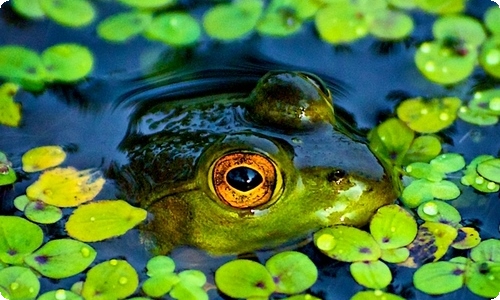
x: 245, y: 180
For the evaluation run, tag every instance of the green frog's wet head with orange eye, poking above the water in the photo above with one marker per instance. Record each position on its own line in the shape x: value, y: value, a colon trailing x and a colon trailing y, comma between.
x: 240, y: 172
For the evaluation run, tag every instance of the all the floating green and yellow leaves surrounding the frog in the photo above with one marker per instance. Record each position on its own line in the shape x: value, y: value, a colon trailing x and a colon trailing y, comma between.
x: 420, y: 232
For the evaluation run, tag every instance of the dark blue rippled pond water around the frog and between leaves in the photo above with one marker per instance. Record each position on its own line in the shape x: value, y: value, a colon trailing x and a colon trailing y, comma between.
x: 91, y: 118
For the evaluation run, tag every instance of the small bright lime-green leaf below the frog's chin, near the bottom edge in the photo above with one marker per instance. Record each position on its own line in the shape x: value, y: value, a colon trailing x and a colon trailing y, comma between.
x: 371, y: 274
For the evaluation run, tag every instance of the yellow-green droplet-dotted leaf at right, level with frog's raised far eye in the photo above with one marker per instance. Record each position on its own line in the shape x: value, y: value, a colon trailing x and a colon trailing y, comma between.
x: 429, y: 116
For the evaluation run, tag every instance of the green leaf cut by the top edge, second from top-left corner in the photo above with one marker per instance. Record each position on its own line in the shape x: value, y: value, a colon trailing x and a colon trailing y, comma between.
x: 73, y: 13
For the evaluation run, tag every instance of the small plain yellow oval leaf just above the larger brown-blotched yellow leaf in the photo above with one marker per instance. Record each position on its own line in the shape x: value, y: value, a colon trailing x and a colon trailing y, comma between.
x: 41, y: 158
